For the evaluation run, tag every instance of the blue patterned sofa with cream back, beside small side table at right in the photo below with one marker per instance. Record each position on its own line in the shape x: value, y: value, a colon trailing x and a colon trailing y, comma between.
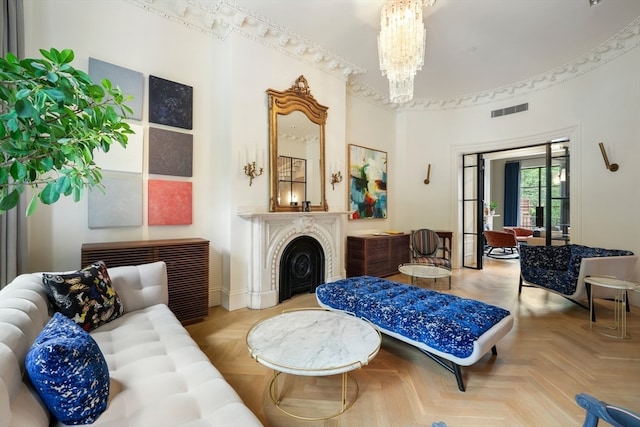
x: 562, y: 269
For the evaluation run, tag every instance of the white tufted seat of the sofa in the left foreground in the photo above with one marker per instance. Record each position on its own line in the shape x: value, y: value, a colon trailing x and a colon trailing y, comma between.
x: 159, y: 376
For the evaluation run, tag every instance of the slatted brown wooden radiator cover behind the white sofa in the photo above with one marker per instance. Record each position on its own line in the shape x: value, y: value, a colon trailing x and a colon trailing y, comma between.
x: 187, y: 269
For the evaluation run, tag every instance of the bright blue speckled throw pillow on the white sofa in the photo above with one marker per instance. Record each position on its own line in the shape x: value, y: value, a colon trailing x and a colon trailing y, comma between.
x: 69, y: 372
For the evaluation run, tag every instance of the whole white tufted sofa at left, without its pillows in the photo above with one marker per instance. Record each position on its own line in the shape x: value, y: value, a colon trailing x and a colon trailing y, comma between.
x: 159, y: 375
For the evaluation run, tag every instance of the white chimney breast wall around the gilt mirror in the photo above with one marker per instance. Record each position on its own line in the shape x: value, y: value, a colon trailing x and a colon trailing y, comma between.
x: 256, y: 69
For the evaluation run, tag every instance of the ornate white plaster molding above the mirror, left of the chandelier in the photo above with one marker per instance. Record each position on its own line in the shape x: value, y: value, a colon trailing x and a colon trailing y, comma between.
x: 221, y: 18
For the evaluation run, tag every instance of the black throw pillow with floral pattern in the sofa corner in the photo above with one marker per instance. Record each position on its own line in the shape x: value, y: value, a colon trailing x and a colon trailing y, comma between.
x: 86, y: 296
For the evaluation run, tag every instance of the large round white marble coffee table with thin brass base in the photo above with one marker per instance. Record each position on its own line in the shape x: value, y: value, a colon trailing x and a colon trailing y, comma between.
x: 313, y: 342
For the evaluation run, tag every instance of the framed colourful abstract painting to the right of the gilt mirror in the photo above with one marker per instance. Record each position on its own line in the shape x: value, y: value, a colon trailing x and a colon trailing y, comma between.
x: 367, y: 182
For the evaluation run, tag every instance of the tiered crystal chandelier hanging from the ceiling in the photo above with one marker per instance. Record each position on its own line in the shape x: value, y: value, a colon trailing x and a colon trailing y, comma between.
x: 401, y: 45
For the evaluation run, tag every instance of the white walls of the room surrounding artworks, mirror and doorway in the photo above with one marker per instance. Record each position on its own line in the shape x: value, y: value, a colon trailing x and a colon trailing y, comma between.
x: 230, y: 78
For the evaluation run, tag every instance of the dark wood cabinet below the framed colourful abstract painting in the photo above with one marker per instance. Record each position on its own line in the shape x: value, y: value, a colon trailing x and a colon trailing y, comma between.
x: 376, y: 255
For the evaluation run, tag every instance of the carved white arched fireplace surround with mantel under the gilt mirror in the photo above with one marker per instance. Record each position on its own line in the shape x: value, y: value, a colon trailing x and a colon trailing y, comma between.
x: 271, y: 233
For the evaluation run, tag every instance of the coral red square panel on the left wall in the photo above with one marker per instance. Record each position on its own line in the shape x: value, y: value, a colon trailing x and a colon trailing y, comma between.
x: 170, y: 202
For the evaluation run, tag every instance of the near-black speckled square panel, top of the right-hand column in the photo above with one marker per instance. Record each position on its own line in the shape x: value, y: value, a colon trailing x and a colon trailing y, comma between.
x: 170, y: 103
